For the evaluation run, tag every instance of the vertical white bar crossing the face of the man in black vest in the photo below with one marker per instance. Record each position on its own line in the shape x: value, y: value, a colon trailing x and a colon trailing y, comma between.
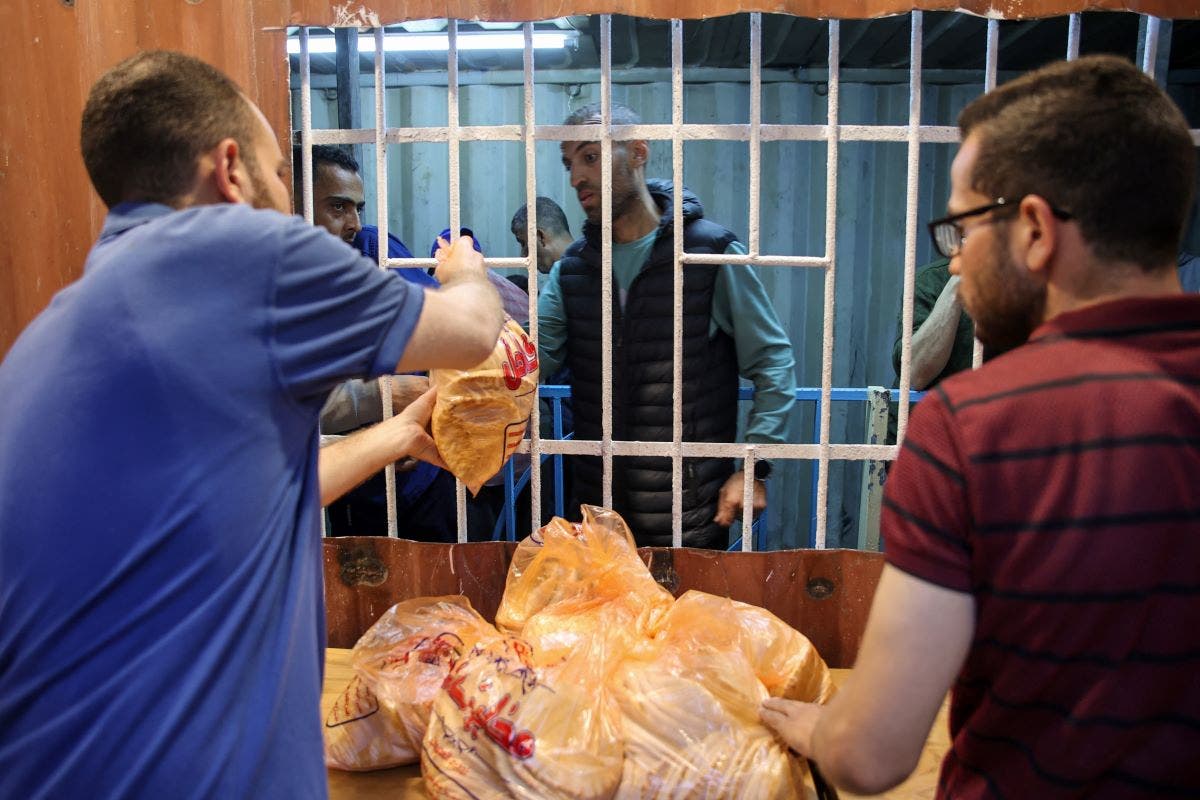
x: 607, y: 258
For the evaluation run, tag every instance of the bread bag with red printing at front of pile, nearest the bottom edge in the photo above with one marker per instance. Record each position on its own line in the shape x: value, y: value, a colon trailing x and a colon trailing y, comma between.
x: 512, y: 725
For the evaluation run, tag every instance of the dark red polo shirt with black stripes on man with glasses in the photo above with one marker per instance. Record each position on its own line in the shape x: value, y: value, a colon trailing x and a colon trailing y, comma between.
x: 1060, y: 485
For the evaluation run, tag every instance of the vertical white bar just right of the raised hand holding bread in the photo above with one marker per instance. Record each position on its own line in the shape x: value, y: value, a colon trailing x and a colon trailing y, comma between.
x: 531, y: 264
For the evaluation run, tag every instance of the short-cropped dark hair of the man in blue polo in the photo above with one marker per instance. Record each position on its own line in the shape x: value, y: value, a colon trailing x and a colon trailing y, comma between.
x: 151, y: 118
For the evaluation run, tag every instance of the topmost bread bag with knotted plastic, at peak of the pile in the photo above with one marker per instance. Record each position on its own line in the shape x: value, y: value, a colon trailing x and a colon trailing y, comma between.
x: 595, y: 561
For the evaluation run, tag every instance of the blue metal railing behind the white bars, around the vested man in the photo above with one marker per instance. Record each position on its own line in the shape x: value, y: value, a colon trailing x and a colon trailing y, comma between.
x: 506, y: 527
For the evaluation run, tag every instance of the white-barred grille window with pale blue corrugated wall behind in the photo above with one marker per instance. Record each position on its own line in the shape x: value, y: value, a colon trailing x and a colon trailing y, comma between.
x: 808, y: 149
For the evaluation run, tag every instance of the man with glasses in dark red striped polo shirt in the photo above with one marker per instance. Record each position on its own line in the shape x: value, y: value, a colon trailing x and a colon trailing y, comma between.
x: 1043, y: 518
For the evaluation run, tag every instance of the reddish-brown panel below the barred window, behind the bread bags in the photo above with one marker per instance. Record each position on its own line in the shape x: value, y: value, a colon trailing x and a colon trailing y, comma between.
x: 824, y: 594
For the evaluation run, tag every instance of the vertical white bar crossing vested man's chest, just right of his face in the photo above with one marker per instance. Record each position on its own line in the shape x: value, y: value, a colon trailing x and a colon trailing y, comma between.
x: 677, y: 285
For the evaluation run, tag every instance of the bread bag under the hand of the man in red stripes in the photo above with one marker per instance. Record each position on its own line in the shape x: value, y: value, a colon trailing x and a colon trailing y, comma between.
x: 691, y: 699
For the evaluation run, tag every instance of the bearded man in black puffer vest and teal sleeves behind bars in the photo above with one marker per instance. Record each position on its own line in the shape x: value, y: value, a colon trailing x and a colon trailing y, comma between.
x: 730, y: 329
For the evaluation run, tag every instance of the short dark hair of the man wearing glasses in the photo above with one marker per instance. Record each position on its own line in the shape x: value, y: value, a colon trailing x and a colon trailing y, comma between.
x: 1100, y: 140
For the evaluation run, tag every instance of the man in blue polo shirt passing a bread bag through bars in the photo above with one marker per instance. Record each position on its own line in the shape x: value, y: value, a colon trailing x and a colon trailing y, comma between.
x: 161, y: 606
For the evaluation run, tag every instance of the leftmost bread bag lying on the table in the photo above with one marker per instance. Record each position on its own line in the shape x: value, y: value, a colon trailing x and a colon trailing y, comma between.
x: 400, y: 665
